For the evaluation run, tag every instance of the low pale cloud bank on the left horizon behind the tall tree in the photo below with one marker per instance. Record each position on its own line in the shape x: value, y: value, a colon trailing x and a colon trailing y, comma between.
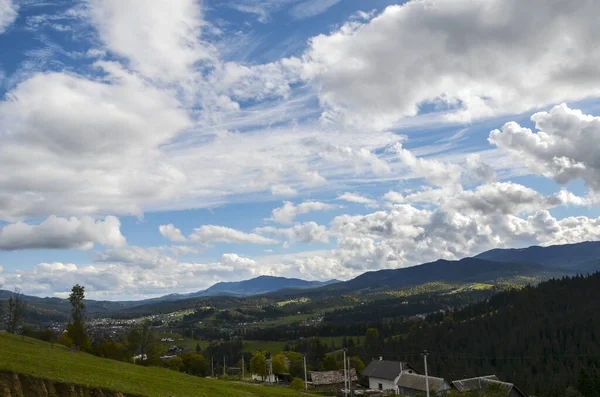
x: 135, y: 280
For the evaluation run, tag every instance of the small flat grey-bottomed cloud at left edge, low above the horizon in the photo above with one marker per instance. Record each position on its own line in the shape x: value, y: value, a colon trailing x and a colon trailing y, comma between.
x: 62, y: 233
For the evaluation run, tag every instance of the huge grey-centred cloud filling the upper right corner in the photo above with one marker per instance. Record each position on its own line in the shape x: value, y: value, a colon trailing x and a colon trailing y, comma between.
x: 436, y: 63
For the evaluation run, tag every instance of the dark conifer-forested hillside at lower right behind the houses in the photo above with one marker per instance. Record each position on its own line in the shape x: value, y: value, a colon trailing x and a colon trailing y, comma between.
x: 540, y: 338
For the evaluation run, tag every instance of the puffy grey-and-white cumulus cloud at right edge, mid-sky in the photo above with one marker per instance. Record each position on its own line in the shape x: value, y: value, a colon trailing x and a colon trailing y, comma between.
x: 564, y: 148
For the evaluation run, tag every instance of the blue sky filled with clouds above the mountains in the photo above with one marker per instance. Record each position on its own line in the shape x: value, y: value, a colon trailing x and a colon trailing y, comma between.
x: 150, y: 147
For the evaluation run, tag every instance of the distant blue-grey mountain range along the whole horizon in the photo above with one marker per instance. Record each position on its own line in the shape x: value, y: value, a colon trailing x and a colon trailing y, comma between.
x: 535, y: 262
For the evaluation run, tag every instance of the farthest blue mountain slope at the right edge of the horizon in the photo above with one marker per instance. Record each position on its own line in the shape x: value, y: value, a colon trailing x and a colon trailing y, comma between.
x: 567, y: 256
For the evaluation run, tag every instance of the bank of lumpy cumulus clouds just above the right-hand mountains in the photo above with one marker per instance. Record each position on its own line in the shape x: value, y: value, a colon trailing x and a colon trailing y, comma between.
x: 405, y: 235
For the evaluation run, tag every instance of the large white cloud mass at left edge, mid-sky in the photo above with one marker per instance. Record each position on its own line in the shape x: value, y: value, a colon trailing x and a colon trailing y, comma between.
x: 95, y: 145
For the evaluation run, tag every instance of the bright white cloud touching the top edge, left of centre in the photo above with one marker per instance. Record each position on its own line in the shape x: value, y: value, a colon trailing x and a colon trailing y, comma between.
x: 161, y: 39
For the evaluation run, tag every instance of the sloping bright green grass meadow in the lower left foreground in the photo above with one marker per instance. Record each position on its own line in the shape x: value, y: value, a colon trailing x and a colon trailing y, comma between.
x: 40, y: 360
